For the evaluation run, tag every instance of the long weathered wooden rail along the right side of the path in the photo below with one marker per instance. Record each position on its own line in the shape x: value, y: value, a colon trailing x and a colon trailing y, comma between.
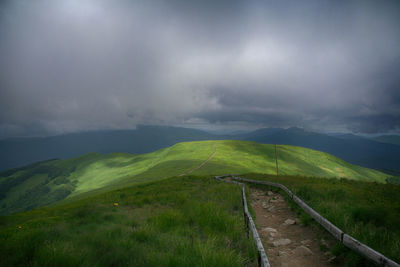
x: 345, y: 239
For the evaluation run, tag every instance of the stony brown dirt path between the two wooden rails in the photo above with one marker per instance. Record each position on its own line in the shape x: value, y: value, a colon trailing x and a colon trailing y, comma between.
x: 286, y: 242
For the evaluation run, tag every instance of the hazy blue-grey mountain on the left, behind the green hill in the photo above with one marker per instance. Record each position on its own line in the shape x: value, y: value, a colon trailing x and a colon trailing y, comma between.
x: 21, y: 151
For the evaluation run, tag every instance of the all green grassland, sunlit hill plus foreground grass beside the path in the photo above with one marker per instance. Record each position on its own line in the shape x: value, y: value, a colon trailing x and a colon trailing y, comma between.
x: 136, y: 209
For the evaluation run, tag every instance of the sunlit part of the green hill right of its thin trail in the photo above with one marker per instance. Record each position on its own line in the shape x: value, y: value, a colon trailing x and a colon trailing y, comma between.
x: 244, y: 157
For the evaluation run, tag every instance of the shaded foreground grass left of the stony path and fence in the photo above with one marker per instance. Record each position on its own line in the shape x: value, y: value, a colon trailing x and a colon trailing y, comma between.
x: 186, y: 221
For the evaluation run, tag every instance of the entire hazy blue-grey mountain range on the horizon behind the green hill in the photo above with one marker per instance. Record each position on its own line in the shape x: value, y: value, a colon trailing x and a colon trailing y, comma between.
x: 16, y: 152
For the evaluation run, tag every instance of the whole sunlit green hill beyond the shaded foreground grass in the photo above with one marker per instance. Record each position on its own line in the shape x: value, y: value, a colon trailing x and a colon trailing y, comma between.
x: 48, y: 182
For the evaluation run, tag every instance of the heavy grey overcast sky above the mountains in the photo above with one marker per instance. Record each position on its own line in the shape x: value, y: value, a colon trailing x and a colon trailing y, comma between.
x: 77, y: 65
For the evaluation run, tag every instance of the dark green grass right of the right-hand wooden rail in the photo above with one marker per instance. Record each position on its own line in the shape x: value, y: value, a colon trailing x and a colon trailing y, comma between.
x: 367, y: 211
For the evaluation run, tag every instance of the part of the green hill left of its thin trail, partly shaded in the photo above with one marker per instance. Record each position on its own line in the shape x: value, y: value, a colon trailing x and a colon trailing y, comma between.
x: 47, y: 182
